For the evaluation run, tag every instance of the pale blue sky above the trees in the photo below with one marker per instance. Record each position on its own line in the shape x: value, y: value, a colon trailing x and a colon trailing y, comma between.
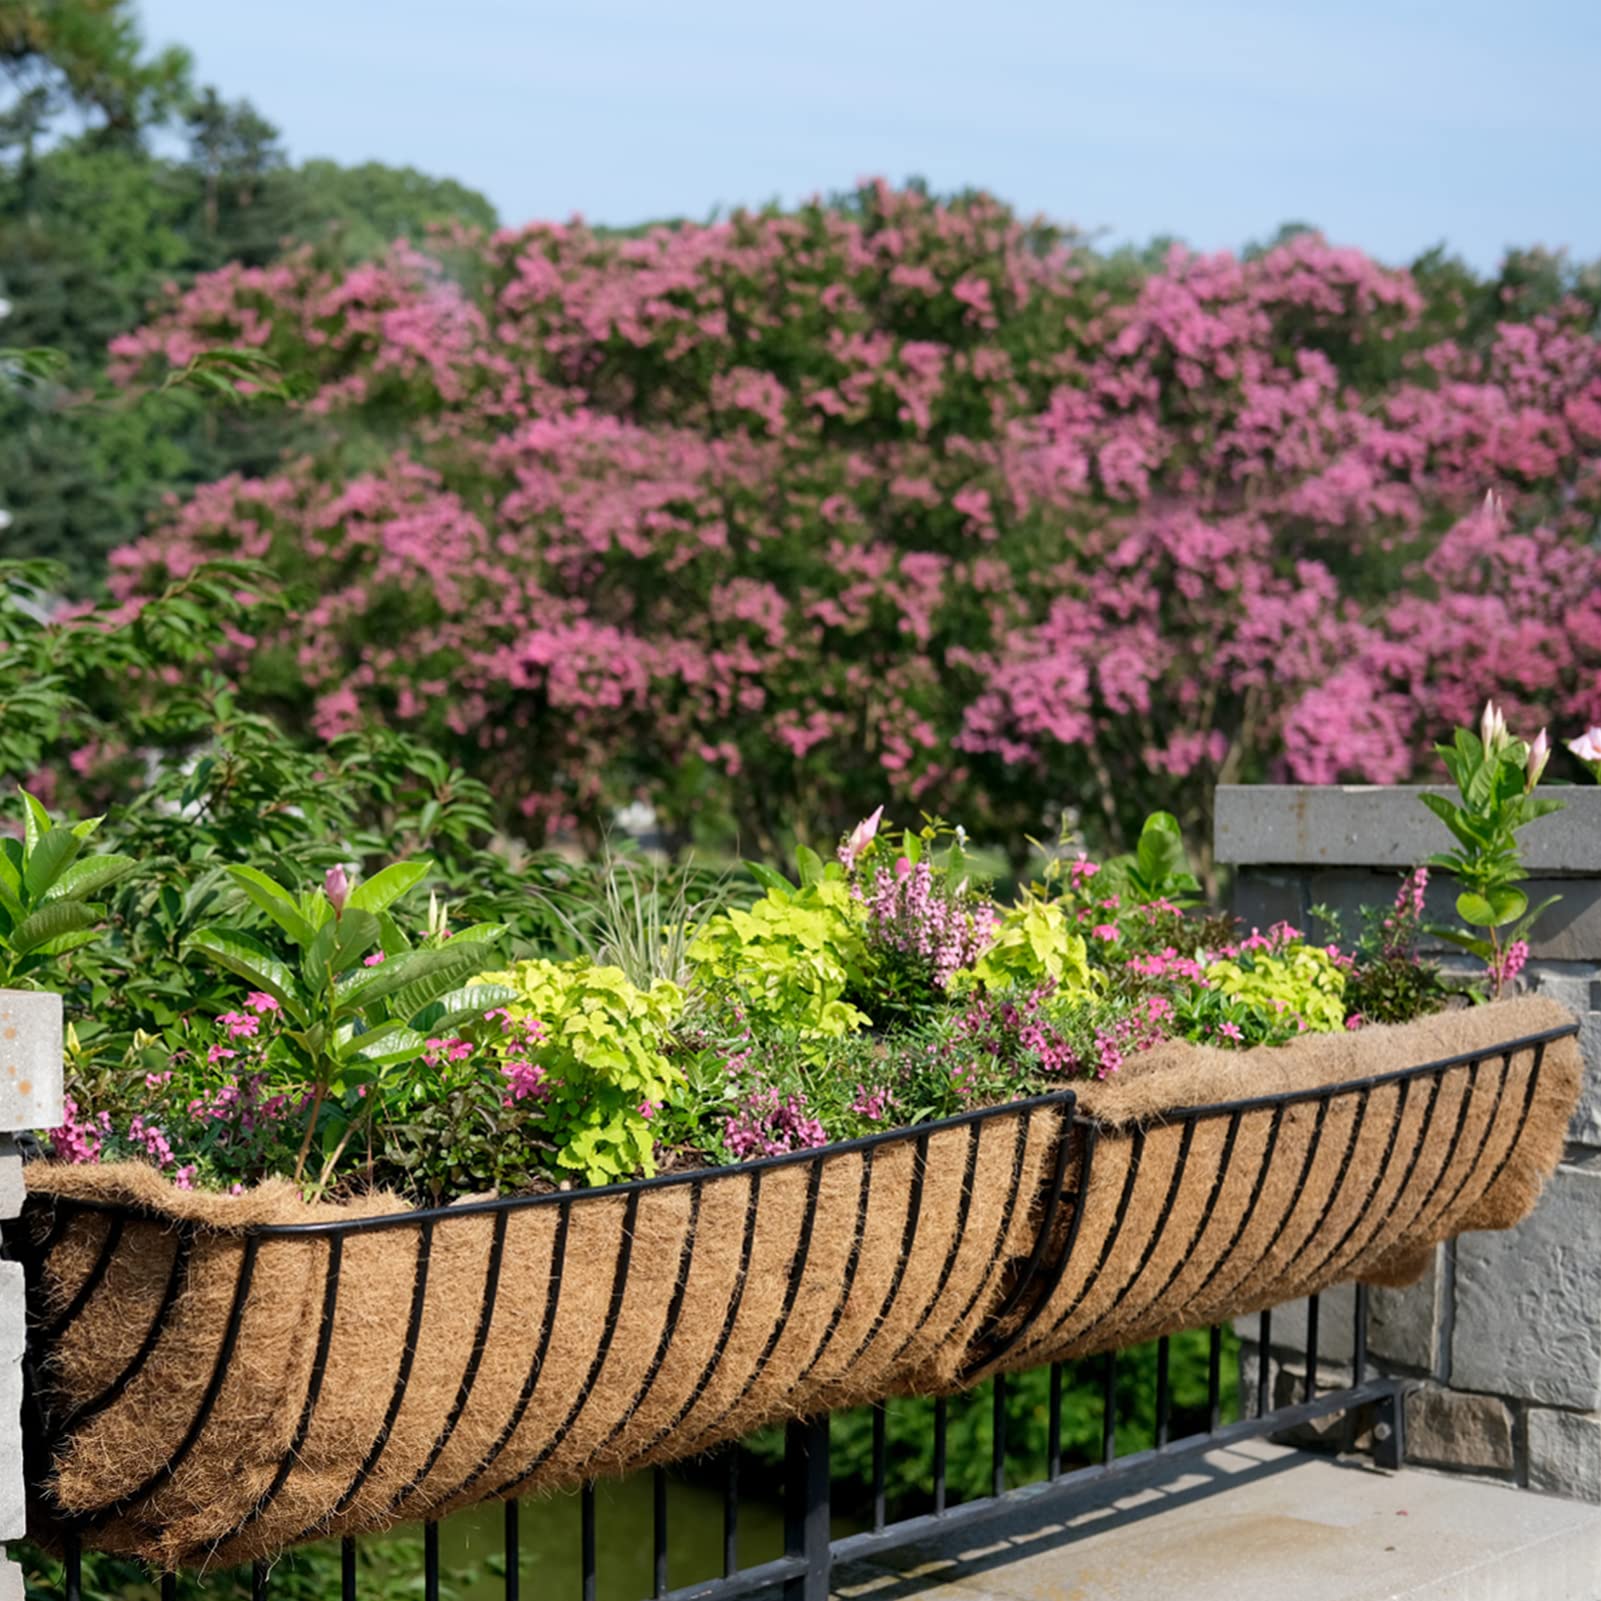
x: 1390, y: 124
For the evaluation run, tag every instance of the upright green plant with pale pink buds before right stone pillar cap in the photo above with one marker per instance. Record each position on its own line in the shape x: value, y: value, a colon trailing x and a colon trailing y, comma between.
x: 1496, y: 776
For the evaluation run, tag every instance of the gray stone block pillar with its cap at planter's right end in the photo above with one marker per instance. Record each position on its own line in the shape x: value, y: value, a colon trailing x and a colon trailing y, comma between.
x: 1504, y: 1334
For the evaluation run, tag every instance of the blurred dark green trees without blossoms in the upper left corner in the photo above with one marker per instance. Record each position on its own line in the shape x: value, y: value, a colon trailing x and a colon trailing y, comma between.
x: 94, y: 225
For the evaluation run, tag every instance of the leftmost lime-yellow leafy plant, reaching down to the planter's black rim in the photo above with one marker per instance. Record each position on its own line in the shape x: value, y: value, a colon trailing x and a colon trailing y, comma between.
x: 603, y: 1072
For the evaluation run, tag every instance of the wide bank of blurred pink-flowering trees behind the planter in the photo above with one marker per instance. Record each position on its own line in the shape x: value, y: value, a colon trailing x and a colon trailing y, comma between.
x: 901, y: 497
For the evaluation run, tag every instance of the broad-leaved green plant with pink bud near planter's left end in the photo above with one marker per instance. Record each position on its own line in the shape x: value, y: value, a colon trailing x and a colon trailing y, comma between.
x: 359, y: 1001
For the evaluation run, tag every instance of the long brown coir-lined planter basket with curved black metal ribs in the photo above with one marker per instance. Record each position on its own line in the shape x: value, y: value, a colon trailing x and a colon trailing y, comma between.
x: 215, y: 1379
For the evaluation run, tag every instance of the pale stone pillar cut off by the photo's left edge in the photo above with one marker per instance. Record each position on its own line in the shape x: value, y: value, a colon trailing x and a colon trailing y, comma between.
x: 30, y: 1099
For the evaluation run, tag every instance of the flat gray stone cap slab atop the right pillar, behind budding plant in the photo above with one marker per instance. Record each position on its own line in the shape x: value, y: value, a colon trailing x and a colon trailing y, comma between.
x: 1384, y: 827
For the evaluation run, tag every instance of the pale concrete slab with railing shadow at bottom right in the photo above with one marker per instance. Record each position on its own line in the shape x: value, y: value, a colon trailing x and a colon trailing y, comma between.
x: 1264, y: 1523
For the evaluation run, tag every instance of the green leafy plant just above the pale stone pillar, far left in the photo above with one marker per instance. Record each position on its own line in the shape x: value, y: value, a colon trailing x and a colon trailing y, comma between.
x: 46, y: 894
